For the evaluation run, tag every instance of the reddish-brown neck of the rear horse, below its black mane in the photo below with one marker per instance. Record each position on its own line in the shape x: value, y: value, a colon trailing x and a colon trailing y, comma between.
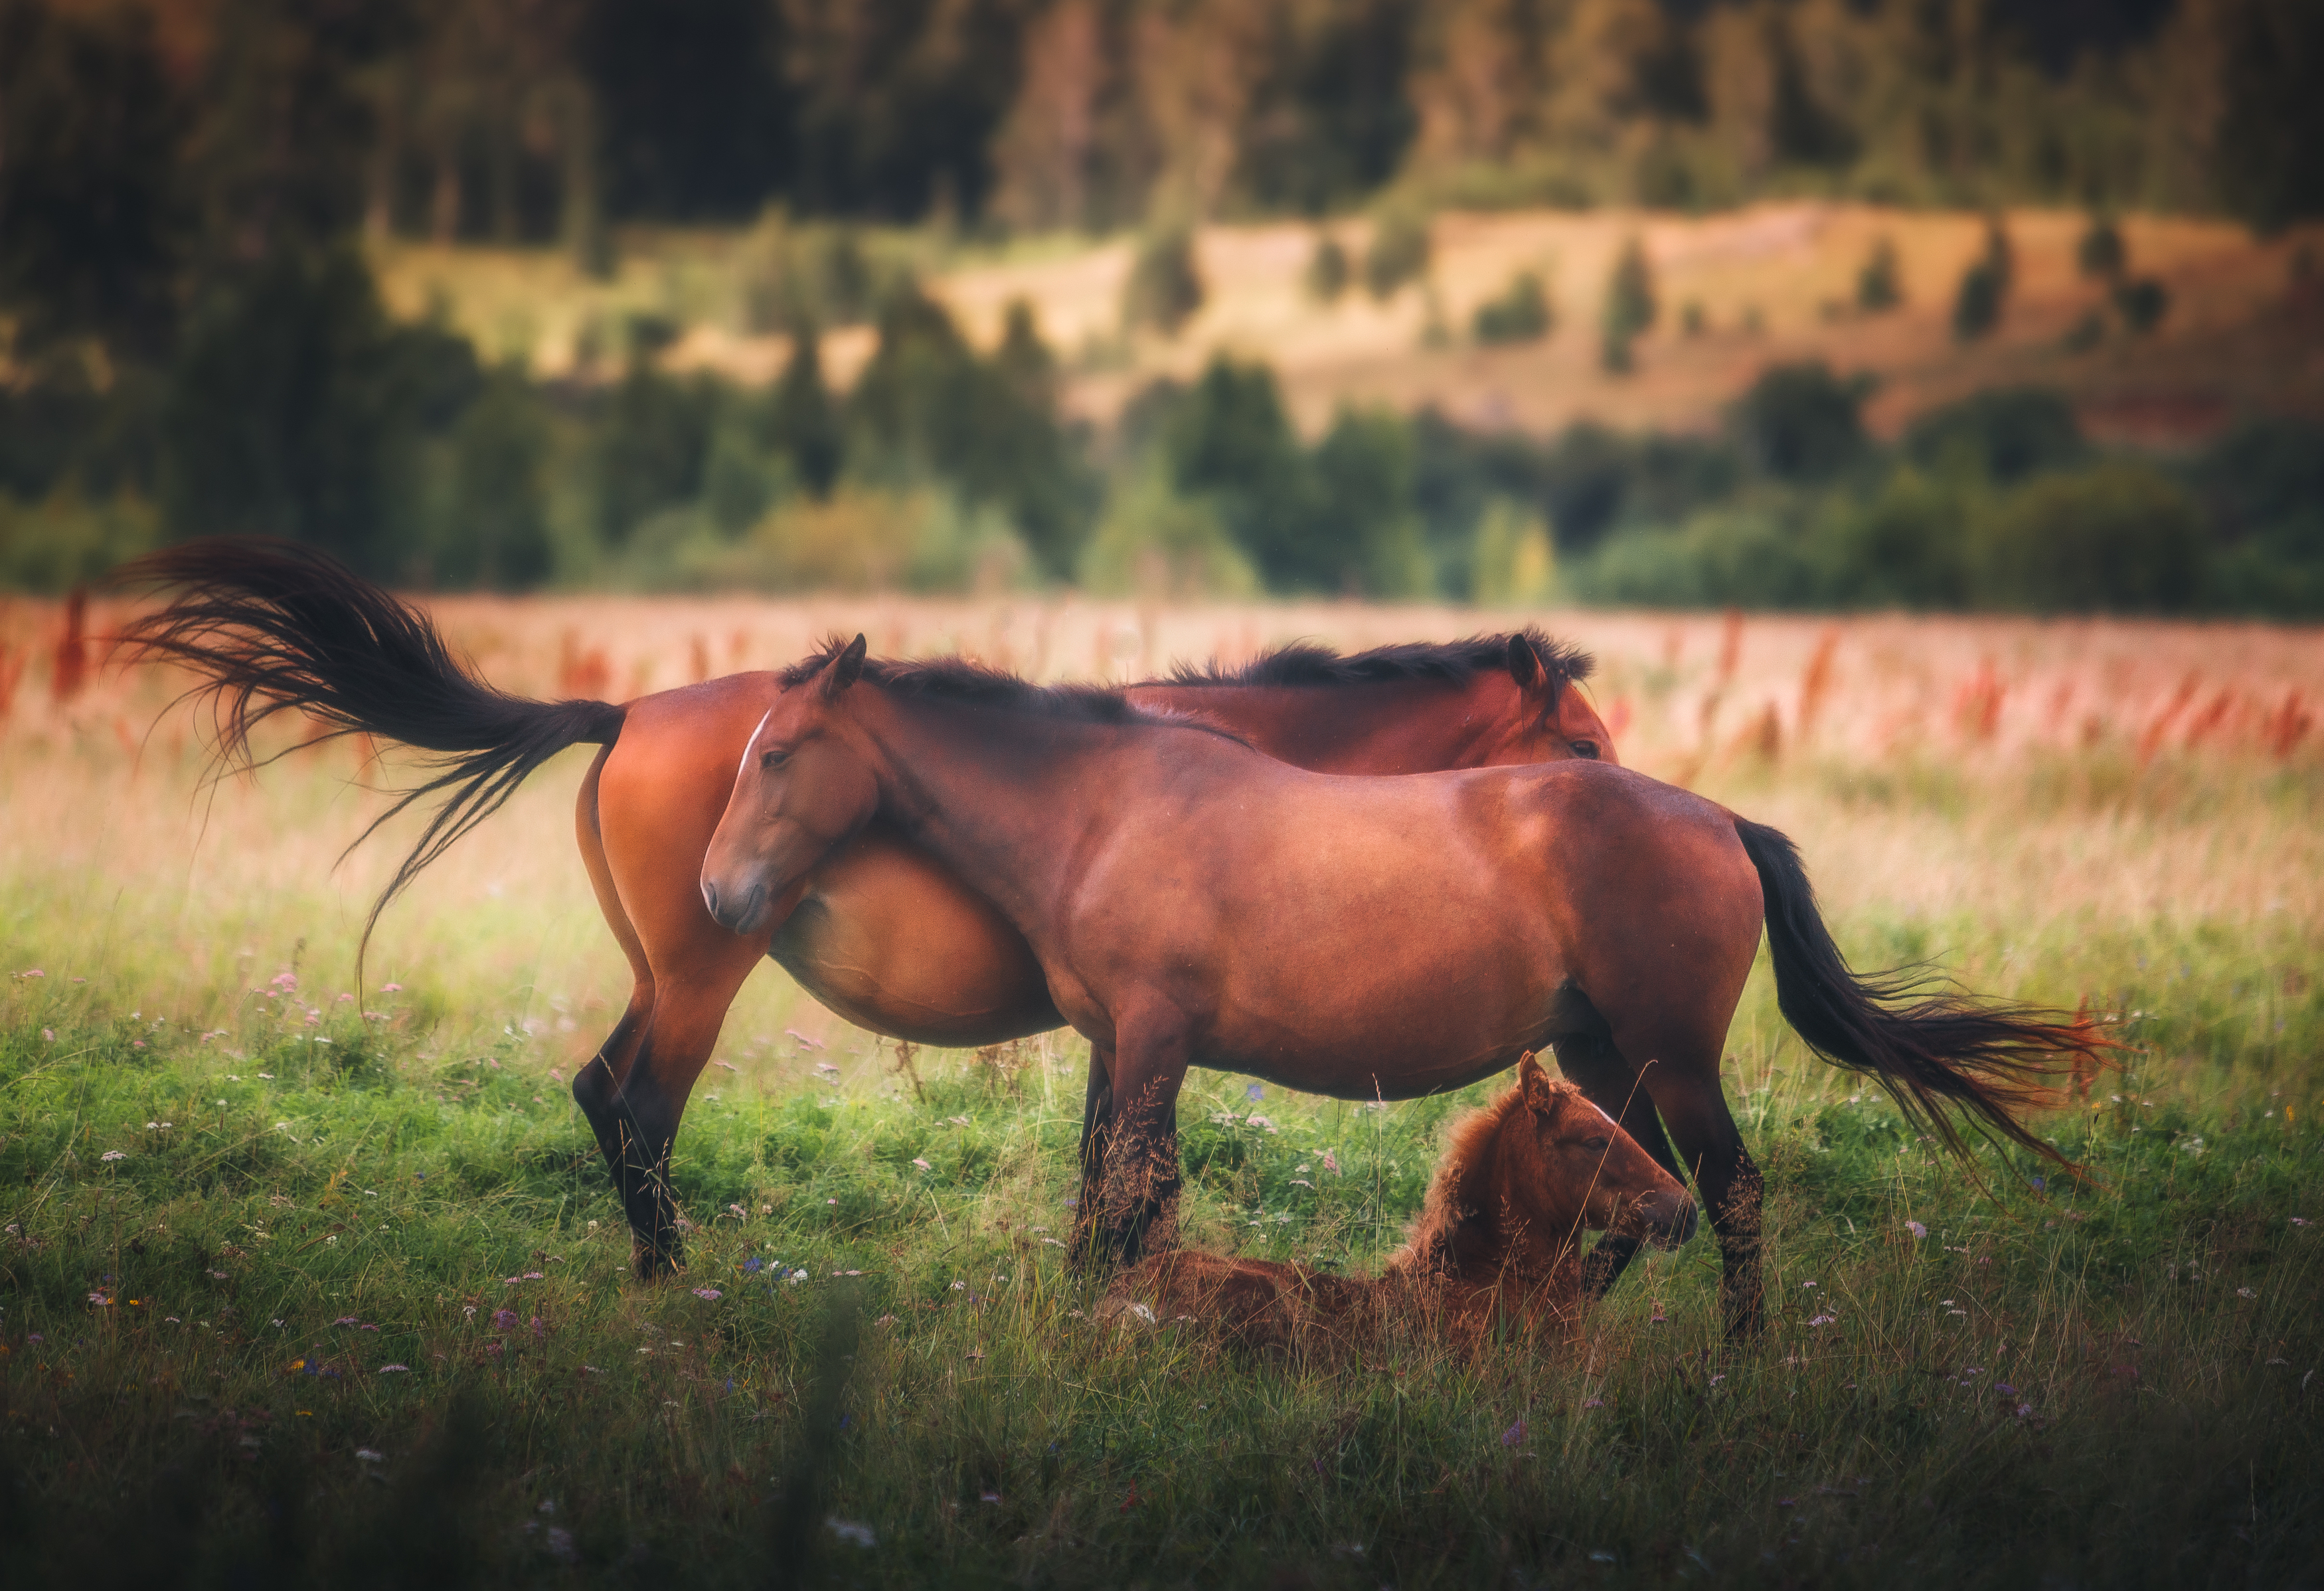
x: 1375, y: 728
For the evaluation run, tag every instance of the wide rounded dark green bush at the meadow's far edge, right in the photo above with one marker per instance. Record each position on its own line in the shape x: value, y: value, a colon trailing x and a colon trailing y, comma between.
x: 2116, y: 538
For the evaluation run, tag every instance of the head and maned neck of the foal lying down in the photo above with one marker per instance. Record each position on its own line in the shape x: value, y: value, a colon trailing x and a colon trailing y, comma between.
x: 1544, y: 1165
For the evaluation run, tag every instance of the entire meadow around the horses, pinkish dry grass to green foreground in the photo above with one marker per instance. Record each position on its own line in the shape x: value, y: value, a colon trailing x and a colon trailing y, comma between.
x: 313, y: 1288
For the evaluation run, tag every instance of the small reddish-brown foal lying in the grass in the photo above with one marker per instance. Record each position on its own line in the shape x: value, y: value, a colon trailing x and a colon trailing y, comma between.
x: 1495, y: 1246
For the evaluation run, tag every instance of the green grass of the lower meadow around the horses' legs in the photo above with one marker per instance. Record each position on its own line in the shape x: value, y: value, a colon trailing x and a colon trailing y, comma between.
x: 2097, y: 1385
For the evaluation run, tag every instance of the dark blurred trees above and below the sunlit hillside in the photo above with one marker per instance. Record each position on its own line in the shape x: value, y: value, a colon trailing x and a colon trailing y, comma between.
x: 196, y: 343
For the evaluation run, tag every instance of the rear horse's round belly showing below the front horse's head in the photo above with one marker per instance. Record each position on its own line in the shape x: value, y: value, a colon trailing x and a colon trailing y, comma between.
x: 898, y: 946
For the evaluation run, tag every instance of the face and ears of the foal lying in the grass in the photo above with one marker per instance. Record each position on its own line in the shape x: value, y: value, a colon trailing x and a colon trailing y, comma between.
x: 1570, y: 1167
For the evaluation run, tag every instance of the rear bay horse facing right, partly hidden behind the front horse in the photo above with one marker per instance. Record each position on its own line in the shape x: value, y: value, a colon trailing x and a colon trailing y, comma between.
x: 882, y: 933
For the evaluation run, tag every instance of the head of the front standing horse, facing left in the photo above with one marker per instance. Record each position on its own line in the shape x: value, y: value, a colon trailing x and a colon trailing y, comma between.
x: 801, y: 793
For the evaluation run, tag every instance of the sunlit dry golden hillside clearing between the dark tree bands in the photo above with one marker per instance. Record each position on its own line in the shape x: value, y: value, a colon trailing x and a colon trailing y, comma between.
x: 1772, y: 282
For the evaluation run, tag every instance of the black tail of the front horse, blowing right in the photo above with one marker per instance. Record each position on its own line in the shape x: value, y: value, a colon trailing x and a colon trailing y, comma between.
x: 1932, y: 1051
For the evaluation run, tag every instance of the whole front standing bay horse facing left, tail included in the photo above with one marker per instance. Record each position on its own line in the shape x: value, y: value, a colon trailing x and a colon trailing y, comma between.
x: 1196, y: 902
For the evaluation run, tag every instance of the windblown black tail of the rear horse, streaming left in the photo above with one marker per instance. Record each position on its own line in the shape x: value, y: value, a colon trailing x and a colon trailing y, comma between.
x: 280, y: 628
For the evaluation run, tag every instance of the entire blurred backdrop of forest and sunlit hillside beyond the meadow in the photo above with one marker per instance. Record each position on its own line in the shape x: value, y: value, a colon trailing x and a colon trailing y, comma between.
x: 1656, y: 303
